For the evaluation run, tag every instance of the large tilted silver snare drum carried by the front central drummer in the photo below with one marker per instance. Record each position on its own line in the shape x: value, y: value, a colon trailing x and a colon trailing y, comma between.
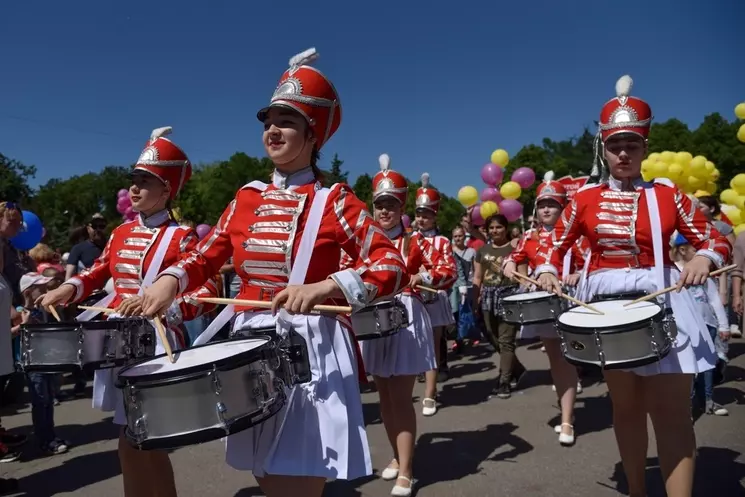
x: 211, y: 391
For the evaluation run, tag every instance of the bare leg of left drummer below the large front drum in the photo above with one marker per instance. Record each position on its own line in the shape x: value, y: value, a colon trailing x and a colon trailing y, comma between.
x: 145, y: 473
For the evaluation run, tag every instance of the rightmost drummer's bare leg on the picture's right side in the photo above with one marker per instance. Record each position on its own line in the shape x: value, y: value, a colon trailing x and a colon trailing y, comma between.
x: 668, y: 398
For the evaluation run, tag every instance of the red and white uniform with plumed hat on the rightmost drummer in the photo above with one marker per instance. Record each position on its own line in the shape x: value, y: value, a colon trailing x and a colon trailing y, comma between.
x: 628, y: 226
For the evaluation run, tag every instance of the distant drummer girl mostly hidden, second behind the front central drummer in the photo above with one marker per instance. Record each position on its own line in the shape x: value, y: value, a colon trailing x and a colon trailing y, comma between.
x: 440, y: 312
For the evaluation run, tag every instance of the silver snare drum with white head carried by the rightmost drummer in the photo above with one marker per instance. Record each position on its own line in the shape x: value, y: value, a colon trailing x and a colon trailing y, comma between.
x: 623, y: 337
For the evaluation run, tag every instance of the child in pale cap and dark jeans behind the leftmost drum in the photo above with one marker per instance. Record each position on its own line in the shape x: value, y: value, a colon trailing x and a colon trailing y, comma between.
x: 42, y: 386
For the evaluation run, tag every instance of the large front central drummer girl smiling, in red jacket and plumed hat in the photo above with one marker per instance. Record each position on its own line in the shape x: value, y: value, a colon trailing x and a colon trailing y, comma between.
x: 286, y: 240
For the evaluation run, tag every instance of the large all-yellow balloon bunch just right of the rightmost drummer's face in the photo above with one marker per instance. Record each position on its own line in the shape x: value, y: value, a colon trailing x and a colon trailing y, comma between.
x: 689, y: 173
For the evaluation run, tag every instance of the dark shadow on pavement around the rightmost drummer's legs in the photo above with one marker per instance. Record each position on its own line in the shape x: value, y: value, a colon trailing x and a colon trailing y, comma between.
x: 717, y: 474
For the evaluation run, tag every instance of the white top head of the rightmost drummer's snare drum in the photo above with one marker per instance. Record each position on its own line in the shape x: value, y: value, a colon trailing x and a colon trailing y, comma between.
x: 616, y: 315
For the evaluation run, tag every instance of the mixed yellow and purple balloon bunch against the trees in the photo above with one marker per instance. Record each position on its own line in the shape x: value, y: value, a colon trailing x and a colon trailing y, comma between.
x: 496, y: 199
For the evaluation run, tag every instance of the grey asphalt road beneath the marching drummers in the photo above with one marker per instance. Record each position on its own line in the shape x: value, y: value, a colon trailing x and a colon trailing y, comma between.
x: 475, y: 446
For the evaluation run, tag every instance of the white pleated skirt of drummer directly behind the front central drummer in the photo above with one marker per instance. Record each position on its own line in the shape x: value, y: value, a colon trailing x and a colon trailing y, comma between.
x: 408, y: 352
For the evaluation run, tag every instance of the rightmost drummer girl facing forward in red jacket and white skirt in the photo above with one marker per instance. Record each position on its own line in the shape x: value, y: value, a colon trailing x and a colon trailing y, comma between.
x: 628, y: 223
